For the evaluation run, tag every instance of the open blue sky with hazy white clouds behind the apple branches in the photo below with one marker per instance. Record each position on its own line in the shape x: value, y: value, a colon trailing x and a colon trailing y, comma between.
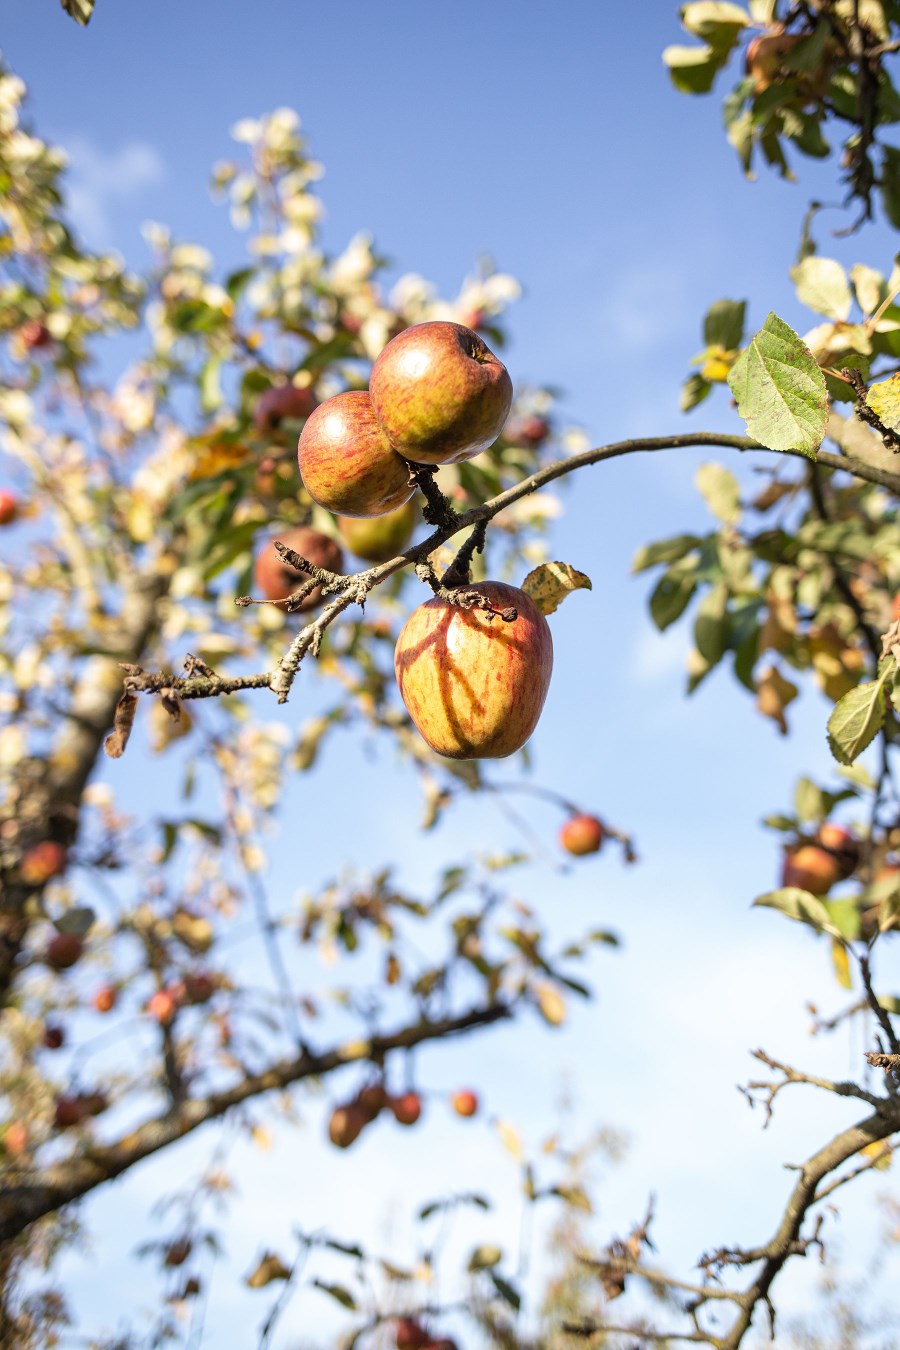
x: 550, y: 138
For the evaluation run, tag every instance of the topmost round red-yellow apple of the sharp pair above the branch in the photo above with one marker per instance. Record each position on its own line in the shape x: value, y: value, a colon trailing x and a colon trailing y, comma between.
x: 441, y: 394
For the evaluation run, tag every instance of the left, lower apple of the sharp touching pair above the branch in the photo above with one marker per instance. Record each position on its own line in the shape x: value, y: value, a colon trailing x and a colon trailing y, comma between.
x: 347, y: 462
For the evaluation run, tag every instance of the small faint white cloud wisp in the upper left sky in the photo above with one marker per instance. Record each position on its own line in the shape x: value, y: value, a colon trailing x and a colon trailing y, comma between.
x: 102, y: 180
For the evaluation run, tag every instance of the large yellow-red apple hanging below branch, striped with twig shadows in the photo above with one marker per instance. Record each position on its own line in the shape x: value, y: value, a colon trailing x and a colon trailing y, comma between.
x: 473, y: 684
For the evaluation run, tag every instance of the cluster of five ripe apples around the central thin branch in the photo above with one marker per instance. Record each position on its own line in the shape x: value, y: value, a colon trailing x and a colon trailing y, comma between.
x: 473, y: 676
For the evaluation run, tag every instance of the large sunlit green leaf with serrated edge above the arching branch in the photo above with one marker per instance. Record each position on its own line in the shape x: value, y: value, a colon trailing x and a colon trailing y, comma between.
x: 781, y: 391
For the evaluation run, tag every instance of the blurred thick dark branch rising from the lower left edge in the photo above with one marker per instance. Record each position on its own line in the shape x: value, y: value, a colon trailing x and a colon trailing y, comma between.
x: 32, y: 1197
